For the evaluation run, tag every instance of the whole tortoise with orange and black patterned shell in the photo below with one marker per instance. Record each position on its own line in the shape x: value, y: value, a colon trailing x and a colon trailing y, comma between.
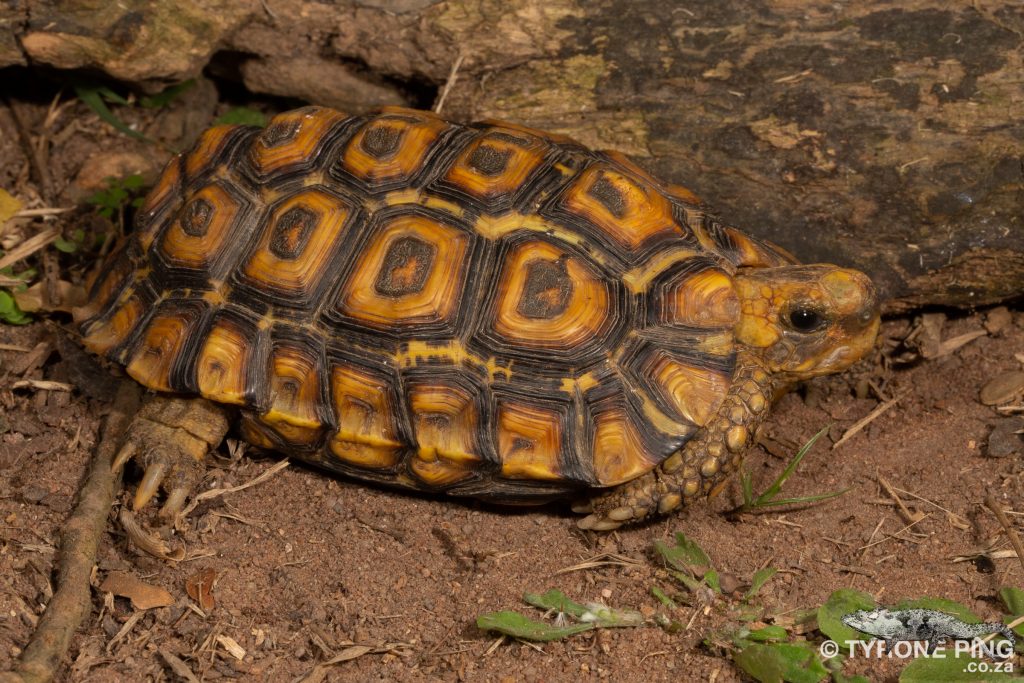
x: 486, y: 311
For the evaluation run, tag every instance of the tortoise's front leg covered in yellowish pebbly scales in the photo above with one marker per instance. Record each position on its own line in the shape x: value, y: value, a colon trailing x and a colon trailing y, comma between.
x: 702, y: 466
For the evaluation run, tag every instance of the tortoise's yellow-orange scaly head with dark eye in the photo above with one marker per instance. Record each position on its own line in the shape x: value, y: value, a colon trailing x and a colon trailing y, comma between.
x: 806, y: 321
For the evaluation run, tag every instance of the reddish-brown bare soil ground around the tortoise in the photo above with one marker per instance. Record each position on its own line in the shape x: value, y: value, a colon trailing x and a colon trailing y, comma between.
x: 308, y: 566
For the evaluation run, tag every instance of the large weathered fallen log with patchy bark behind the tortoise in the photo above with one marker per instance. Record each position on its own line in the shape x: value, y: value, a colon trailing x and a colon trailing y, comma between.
x: 885, y: 136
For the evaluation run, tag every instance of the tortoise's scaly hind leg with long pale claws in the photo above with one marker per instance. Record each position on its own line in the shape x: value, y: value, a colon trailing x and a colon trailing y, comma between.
x: 169, y: 438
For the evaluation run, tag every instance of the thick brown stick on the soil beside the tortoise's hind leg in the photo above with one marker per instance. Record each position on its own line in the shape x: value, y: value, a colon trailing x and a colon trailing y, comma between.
x: 71, y: 603
